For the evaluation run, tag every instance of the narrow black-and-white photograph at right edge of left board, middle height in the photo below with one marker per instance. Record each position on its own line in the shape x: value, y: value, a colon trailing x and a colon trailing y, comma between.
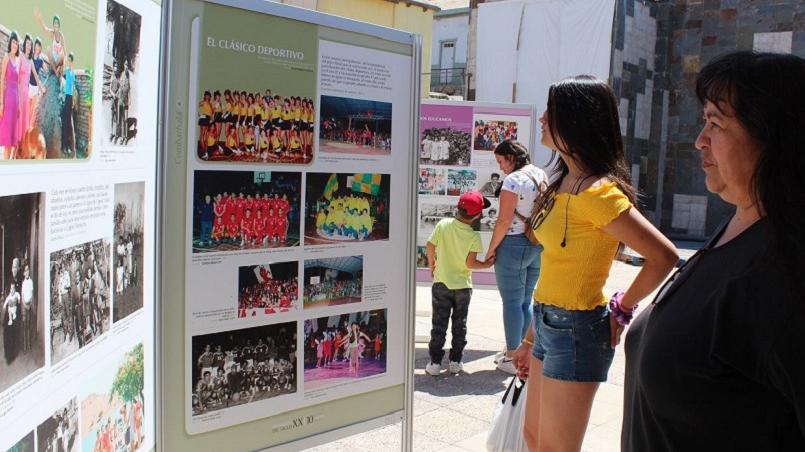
x: 128, y: 249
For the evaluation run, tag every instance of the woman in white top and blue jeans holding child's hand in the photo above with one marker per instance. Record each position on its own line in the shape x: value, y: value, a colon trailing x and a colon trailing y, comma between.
x: 516, y: 258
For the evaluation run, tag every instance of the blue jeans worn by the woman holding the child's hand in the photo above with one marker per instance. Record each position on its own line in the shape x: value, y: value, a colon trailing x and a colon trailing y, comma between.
x: 516, y: 273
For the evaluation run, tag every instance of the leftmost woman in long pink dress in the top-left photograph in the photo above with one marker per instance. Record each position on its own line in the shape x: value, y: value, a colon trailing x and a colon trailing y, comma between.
x: 9, y: 98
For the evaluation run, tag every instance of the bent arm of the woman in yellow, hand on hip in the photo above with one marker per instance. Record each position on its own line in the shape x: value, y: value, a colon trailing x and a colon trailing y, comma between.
x: 632, y: 229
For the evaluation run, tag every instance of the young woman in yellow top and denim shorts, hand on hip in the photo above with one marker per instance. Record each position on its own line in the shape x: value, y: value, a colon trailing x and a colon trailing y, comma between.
x: 587, y: 211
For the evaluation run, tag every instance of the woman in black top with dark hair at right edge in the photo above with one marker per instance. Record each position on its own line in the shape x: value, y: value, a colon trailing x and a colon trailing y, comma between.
x: 716, y: 361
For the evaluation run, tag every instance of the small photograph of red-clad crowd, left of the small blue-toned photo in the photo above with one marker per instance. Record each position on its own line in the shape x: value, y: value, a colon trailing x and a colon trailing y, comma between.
x: 267, y: 289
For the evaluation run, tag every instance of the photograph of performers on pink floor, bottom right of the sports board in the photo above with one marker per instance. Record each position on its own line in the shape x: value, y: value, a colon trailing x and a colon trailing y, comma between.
x: 344, y: 348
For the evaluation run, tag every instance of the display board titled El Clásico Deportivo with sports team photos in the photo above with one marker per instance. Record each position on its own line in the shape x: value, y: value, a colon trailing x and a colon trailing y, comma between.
x: 289, y: 178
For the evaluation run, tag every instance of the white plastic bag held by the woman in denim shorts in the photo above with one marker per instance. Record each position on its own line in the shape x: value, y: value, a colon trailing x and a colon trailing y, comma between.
x: 506, y: 433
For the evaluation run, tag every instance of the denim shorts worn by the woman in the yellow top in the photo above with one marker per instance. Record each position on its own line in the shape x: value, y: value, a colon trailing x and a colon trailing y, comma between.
x: 572, y: 345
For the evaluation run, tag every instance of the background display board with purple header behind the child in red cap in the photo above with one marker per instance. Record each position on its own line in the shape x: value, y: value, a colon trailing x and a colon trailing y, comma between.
x: 456, y: 154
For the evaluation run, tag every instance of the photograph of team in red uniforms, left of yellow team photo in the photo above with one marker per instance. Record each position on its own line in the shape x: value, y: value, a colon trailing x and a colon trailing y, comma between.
x: 236, y: 210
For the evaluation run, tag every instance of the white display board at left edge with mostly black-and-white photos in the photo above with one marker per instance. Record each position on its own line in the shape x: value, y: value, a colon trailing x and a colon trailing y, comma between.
x: 78, y: 204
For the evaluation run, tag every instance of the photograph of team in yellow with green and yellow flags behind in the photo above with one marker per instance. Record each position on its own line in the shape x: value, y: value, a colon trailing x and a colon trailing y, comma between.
x: 342, y: 208
